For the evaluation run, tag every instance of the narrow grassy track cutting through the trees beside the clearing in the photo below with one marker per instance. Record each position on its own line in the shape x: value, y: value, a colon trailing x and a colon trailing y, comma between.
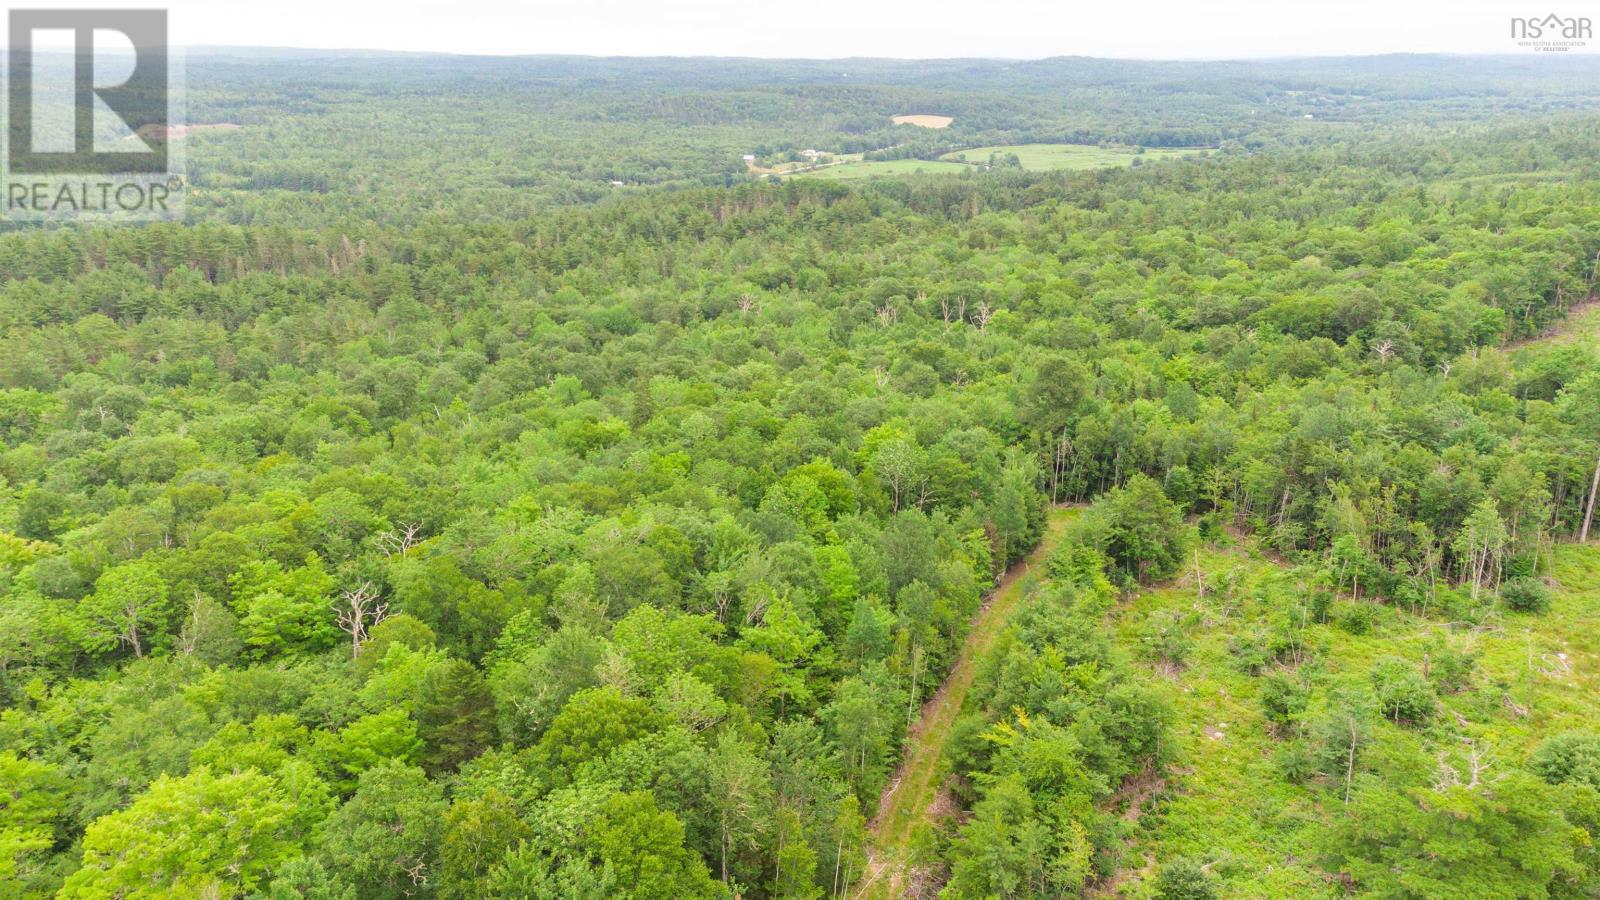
x: 914, y: 785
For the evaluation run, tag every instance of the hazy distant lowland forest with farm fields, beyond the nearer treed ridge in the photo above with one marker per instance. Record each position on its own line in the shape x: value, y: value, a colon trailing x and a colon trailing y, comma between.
x: 353, y: 140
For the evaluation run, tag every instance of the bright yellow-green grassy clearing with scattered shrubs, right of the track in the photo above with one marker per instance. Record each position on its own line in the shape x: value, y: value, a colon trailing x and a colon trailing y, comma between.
x: 1230, y: 805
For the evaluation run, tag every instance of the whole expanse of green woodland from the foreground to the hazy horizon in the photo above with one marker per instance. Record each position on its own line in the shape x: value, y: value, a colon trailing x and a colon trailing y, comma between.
x: 402, y: 529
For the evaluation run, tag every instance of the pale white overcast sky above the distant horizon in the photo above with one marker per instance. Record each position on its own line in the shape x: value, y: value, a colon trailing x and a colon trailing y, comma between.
x: 1022, y: 30
